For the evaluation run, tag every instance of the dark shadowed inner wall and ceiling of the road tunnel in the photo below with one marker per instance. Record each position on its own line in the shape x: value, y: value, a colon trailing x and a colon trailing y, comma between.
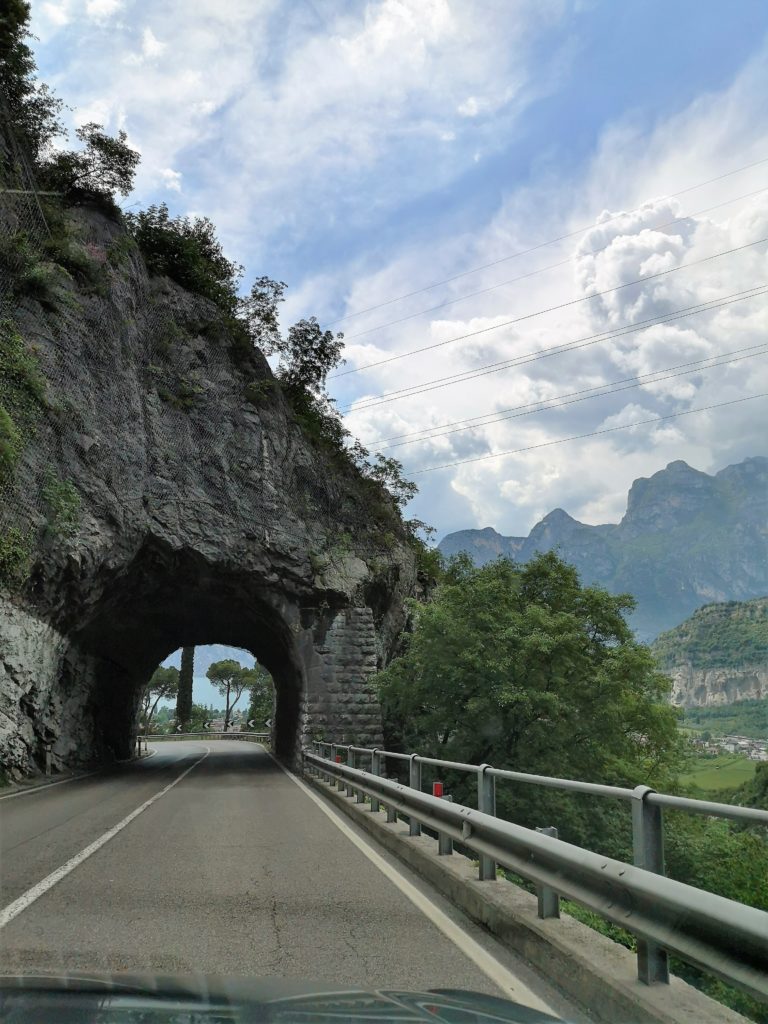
x: 169, y: 600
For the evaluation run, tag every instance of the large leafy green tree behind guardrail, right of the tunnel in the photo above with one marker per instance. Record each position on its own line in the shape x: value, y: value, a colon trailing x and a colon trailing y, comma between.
x: 525, y: 668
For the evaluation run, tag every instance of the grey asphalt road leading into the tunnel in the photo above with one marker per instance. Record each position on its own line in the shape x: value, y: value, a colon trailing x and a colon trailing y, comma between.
x: 232, y: 871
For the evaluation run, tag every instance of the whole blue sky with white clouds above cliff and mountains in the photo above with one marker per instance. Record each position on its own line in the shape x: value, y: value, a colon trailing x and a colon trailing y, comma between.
x: 461, y: 188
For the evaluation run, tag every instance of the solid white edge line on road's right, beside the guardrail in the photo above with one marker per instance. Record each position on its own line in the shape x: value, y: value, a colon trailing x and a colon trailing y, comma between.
x: 490, y: 966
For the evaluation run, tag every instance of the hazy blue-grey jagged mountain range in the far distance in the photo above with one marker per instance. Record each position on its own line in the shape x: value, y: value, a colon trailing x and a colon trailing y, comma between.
x: 688, y: 539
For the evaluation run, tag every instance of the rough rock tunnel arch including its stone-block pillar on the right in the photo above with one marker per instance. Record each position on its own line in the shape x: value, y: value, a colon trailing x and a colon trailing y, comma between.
x: 167, y: 600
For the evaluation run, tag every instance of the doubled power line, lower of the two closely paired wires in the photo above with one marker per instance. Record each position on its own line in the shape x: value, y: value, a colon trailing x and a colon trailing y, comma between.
x: 606, y: 391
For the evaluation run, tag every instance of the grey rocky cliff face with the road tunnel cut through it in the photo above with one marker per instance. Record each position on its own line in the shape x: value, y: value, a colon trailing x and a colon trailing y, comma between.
x: 167, y: 497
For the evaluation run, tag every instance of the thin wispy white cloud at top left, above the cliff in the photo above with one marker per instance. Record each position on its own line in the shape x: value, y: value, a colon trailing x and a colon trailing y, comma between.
x: 222, y: 95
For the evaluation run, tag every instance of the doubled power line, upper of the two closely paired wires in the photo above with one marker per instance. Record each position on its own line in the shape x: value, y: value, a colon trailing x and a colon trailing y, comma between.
x: 579, y: 344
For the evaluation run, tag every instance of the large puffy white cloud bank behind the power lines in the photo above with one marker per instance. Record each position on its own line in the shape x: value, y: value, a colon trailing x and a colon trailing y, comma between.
x: 589, y: 478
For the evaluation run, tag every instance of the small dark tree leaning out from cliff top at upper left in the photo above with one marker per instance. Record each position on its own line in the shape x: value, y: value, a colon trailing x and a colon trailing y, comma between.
x: 106, y: 164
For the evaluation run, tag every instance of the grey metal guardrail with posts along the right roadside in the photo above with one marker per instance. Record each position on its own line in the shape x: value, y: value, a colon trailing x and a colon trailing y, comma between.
x: 716, y: 934
